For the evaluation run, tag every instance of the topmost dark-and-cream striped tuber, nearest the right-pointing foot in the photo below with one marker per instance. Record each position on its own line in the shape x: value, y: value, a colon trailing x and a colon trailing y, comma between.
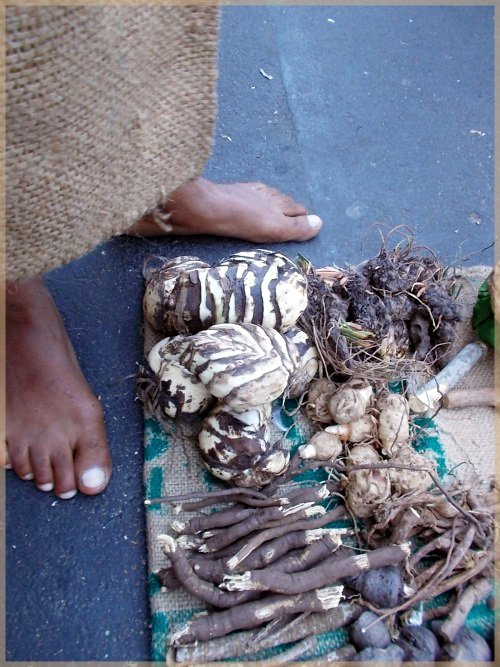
x: 261, y: 287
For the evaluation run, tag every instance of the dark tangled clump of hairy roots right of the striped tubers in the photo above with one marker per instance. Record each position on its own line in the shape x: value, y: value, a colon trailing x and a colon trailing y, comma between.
x: 369, y: 320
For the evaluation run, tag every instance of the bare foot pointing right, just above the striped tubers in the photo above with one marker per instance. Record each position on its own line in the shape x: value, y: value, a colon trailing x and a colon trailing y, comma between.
x: 249, y: 211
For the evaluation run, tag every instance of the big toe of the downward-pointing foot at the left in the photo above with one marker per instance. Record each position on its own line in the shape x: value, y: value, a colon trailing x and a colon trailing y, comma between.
x: 92, y: 467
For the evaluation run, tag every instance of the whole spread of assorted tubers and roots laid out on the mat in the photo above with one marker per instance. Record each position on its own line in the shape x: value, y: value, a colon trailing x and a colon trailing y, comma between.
x: 269, y: 558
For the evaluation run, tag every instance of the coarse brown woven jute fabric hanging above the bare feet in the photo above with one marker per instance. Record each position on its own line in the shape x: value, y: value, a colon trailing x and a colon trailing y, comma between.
x: 108, y: 110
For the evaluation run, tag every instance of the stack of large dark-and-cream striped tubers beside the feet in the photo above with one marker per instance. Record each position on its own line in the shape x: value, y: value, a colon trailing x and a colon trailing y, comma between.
x: 234, y: 349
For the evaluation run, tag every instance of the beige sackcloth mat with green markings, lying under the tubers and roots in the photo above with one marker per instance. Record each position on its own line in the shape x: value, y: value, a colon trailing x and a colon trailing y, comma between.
x: 172, y: 465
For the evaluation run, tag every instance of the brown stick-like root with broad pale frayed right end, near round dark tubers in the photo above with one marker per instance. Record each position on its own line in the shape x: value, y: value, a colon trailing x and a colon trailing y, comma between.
x: 253, y: 614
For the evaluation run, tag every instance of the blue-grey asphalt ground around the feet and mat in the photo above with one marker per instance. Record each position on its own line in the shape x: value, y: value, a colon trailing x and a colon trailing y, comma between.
x: 373, y: 115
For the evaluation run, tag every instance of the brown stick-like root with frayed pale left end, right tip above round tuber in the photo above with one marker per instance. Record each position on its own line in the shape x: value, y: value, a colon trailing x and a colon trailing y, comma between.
x: 332, y: 570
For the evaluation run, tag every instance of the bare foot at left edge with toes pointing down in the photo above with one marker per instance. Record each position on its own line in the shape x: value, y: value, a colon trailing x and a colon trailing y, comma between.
x: 55, y: 428
